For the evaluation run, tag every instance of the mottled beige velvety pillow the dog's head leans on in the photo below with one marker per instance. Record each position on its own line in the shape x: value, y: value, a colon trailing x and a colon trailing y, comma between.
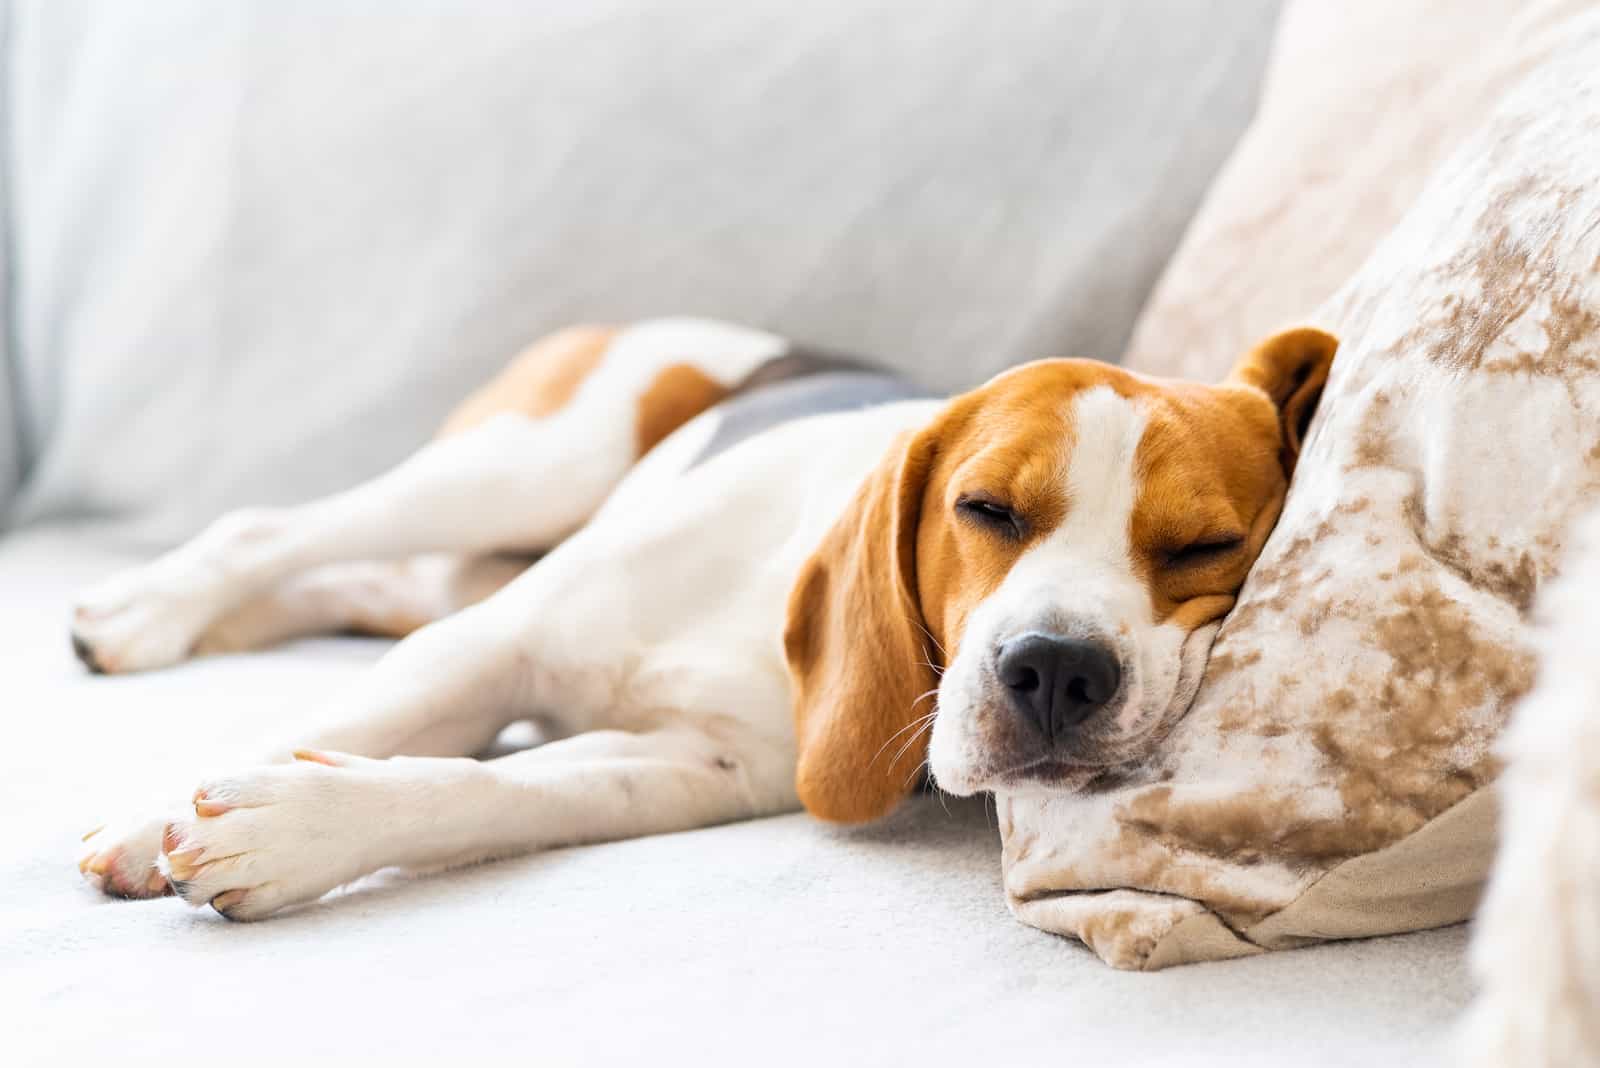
x: 1329, y: 779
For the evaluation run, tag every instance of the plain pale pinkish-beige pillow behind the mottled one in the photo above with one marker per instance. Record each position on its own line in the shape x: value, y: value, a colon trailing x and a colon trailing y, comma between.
x: 1362, y: 102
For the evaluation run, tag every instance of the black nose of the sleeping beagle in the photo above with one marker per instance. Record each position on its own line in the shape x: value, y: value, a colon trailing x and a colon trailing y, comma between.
x: 1058, y: 683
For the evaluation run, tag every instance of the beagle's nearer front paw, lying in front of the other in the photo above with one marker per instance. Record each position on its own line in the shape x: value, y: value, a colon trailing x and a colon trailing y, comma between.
x: 279, y: 835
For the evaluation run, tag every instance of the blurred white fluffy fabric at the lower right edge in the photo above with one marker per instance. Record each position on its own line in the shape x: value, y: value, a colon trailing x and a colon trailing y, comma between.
x: 1537, y: 954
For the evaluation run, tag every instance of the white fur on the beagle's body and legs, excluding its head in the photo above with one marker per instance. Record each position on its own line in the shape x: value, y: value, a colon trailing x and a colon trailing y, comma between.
x: 652, y: 637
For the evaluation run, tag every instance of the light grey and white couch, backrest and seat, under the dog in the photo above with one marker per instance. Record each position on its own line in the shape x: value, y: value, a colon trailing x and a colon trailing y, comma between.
x: 255, y: 250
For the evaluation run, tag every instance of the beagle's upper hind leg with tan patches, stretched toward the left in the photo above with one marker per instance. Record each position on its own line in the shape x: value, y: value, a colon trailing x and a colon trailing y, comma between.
x: 516, y: 469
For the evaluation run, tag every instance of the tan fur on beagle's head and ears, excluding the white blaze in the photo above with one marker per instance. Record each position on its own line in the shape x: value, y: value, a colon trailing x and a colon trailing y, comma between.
x: 882, y: 604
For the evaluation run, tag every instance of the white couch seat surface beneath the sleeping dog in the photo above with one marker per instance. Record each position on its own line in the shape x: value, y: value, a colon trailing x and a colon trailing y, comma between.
x: 774, y: 942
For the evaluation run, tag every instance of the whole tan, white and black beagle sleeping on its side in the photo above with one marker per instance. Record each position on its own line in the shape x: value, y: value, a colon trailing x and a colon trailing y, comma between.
x: 764, y: 580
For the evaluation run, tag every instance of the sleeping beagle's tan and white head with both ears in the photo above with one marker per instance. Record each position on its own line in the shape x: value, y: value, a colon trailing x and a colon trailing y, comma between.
x: 1025, y: 592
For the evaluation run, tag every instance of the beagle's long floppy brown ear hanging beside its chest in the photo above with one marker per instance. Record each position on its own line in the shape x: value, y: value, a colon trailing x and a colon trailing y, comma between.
x: 858, y: 652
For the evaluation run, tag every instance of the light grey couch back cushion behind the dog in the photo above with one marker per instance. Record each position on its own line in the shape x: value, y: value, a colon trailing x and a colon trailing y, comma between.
x: 265, y: 245
